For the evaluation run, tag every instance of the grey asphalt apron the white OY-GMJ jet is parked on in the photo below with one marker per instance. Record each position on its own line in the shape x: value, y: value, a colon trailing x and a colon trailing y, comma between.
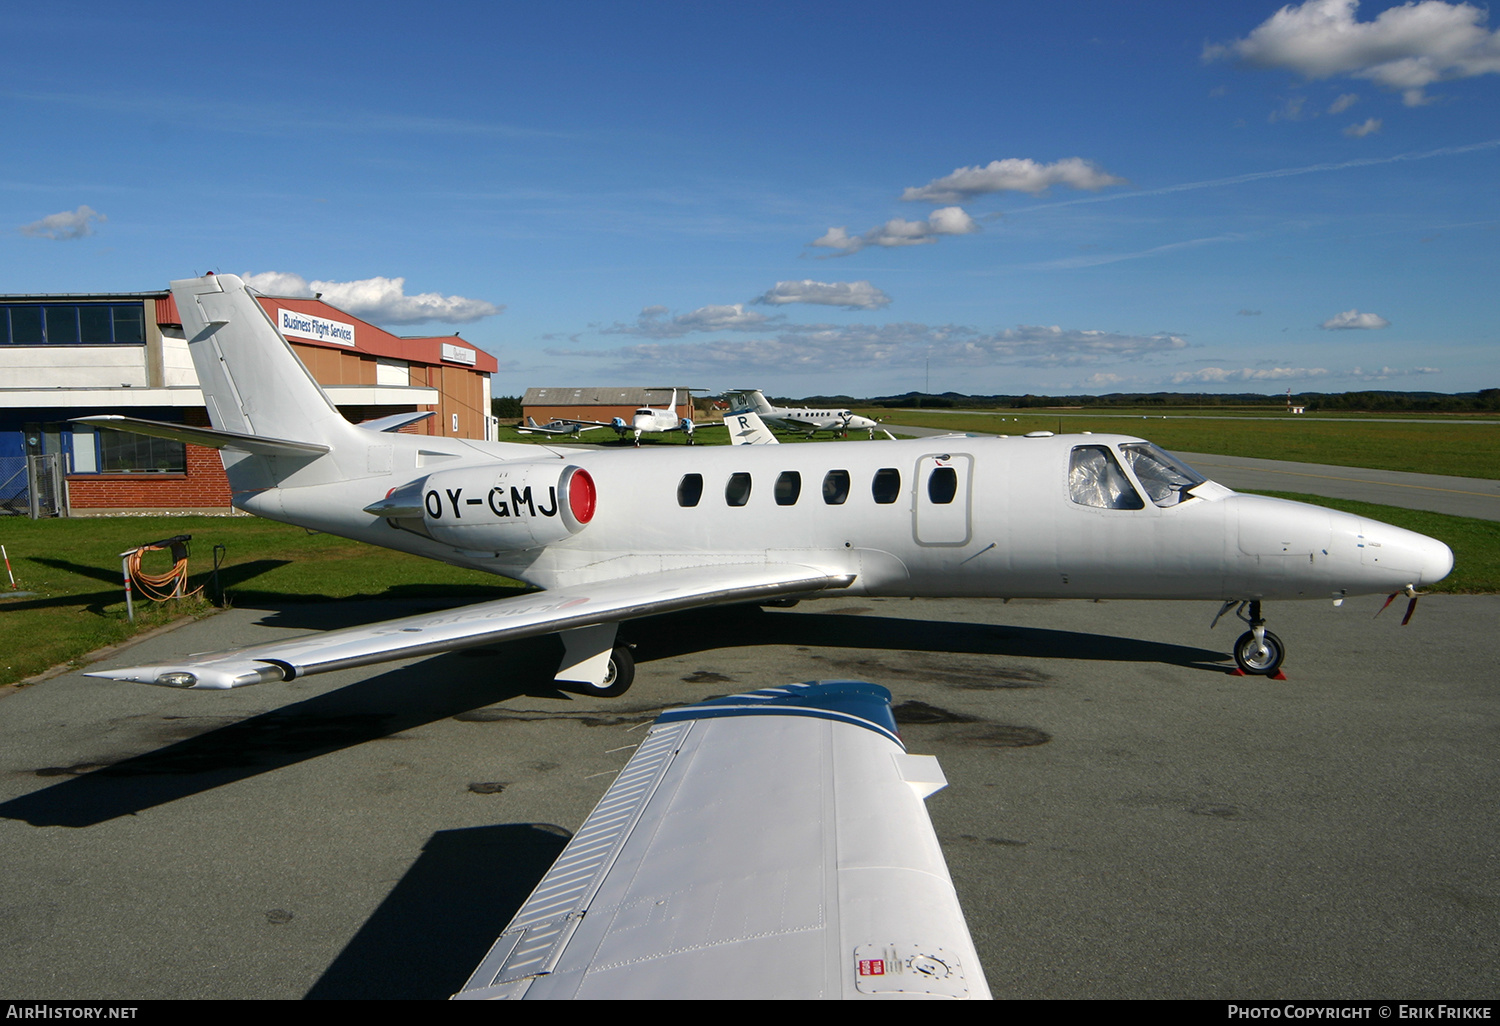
x: 1124, y: 818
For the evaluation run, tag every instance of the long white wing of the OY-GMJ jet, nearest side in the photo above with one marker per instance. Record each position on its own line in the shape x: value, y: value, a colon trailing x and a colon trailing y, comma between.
x: 541, y: 613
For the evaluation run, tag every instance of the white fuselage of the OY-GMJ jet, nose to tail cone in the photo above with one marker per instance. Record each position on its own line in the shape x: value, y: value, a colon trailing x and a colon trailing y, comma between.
x: 949, y: 517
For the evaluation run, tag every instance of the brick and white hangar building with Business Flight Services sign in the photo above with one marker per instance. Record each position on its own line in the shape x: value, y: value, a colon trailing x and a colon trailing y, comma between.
x: 77, y: 356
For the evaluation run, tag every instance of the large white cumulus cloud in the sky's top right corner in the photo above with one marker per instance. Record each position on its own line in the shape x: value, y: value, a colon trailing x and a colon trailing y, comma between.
x: 1405, y: 49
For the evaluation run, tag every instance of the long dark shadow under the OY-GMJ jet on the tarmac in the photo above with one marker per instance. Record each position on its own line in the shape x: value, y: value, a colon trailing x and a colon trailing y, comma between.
x: 461, y: 683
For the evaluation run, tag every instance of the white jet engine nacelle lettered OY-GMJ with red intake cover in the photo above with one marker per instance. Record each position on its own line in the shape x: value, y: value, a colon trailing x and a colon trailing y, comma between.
x: 500, y: 508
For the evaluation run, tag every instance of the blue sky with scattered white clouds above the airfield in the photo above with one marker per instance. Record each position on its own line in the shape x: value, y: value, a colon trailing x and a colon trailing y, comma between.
x: 799, y: 197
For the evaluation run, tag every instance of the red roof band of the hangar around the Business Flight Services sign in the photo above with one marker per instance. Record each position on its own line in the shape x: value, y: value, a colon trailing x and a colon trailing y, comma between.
x: 310, y: 322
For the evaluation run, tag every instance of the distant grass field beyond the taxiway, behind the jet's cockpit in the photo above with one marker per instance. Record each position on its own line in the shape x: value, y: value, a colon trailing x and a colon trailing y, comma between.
x: 1426, y: 446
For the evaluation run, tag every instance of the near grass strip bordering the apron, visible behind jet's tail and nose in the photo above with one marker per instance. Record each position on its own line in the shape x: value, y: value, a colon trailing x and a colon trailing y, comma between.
x: 74, y: 569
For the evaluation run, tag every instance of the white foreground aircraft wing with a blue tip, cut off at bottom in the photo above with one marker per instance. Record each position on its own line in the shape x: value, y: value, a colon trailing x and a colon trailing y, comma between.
x: 764, y: 845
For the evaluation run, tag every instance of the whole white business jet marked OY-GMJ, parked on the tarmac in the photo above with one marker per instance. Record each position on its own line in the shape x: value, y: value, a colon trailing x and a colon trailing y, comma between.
x: 610, y: 536
